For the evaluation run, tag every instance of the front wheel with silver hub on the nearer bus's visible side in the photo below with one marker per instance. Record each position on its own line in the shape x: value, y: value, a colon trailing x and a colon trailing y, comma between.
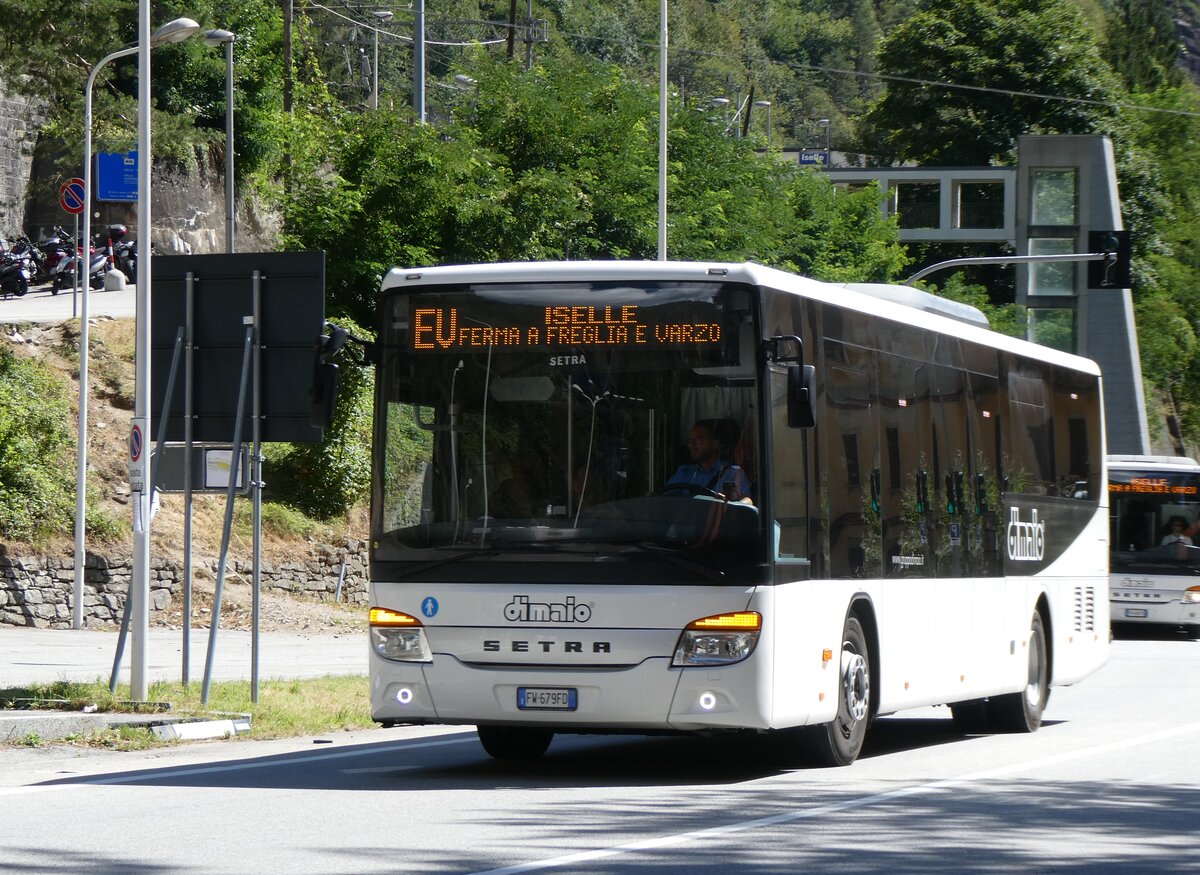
x: 839, y: 742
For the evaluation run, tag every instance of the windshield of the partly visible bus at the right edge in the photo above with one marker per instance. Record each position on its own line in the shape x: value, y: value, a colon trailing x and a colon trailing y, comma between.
x: 1155, y: 522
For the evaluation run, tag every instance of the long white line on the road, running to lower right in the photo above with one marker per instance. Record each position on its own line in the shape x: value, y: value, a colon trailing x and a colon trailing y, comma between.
x: 833, y: 808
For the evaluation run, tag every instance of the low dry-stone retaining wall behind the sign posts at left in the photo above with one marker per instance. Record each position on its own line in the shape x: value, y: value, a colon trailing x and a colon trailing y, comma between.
x: 39, y: 591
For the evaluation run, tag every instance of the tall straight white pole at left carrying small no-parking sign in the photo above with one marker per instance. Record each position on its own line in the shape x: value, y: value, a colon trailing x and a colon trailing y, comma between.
x: 140, y: 582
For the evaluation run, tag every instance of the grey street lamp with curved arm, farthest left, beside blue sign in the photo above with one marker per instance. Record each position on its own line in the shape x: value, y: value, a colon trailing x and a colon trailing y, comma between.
x: 172, y: 32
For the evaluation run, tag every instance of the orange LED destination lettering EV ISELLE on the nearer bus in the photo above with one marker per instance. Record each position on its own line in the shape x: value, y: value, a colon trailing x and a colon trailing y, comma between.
x: 445, y: 329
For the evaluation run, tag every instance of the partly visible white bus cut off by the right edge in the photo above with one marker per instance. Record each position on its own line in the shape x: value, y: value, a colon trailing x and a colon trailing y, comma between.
x: 1155, y: 537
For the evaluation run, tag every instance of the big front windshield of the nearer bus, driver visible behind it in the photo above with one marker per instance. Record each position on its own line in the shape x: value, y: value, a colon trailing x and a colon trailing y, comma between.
x: 583, y: 422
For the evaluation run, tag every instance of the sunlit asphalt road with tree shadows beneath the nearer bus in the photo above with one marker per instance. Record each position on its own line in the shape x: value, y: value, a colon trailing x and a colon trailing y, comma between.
x: 1111, y: 784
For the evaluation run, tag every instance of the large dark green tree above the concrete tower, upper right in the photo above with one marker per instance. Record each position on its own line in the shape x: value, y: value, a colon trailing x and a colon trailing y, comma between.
x: 1003, y: 51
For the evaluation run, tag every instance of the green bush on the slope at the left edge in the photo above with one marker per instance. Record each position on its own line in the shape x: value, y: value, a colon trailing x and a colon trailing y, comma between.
x: 37, y: 483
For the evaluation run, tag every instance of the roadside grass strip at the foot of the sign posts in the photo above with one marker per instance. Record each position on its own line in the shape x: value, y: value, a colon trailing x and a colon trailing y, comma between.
x: 285, y: 709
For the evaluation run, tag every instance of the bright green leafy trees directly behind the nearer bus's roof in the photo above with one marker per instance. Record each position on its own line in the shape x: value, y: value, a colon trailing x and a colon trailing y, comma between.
x: 562, y: 163
